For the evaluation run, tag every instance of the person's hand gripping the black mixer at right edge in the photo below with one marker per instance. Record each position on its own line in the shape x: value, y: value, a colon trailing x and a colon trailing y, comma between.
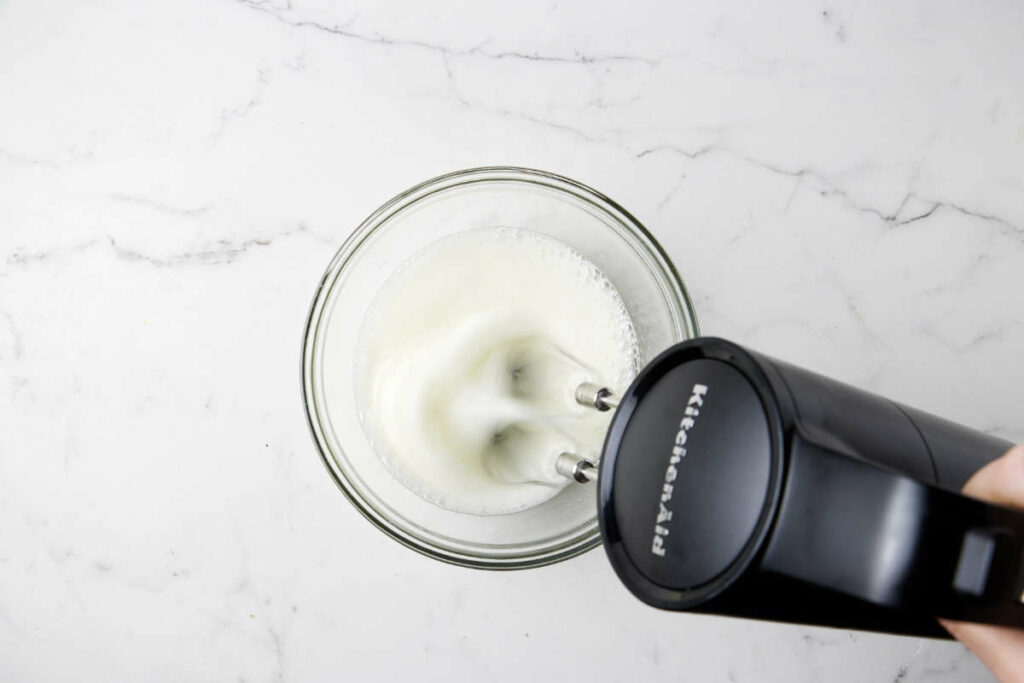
x: 1001, y: 649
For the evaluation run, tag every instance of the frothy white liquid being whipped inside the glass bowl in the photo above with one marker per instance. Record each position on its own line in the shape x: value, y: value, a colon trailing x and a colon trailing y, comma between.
x: 468, y: 359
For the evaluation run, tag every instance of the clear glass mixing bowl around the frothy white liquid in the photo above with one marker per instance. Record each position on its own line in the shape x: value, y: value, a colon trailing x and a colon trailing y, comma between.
x: 579, y: 217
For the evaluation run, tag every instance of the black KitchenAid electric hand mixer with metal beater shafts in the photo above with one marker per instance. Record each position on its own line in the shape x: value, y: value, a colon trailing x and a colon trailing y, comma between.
x: 734, y: 484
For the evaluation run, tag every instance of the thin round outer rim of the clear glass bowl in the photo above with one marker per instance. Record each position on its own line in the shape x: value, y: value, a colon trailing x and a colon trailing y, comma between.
x: 588, y: 536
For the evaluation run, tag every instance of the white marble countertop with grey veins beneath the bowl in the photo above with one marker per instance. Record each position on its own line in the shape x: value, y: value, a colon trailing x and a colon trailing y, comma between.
x: 839, y: 185
